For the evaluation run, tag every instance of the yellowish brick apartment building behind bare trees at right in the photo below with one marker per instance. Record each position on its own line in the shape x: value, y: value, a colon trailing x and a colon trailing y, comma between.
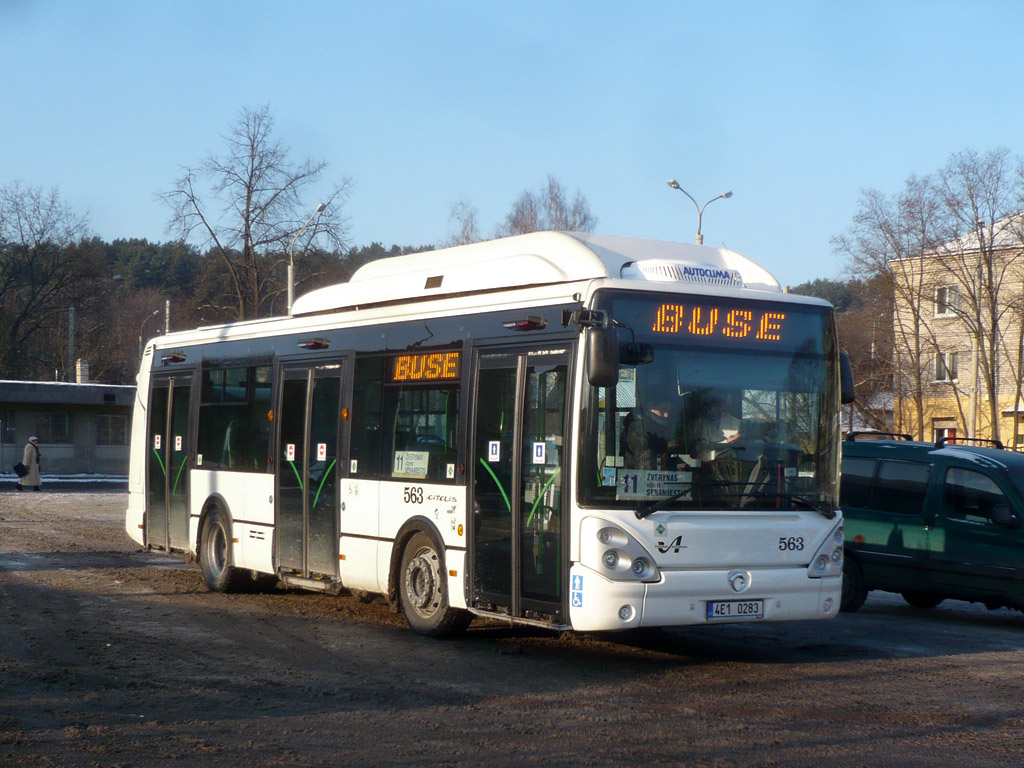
x: 958, y: 337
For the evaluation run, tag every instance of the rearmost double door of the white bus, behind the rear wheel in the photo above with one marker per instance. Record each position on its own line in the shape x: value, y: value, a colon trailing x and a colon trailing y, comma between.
x: 169, y: 442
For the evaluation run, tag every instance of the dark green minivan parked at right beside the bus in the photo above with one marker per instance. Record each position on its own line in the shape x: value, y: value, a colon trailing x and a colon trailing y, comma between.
x: 932, y: 522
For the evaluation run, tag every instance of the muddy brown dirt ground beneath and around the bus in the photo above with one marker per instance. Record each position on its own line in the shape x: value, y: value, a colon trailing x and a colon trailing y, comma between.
x: 112, y: 657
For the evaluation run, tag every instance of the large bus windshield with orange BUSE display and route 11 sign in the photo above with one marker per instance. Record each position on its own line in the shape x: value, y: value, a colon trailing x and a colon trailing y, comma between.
x: 721, y: 404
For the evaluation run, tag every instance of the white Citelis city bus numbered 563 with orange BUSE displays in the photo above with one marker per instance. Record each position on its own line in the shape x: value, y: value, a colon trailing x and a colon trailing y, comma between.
x: 577, y: 432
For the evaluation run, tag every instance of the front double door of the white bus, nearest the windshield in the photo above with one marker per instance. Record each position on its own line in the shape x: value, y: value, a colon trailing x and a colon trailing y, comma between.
x: 519, y: 478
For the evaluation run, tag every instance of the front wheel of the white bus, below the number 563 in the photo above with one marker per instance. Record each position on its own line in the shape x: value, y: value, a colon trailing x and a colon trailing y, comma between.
x: 423, y: 590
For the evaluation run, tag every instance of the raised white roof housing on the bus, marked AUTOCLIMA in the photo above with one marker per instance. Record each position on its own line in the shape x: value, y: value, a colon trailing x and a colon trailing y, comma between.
x: 538, y: 259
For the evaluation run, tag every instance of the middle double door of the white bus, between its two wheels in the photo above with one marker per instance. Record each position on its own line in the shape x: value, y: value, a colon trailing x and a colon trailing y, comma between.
x: 308, y: 471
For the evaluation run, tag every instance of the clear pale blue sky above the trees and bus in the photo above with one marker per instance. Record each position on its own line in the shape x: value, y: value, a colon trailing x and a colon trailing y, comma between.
x: 795, y: 107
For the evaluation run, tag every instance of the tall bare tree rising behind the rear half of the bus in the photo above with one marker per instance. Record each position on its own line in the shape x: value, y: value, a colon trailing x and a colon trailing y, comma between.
x: 248, y: 206
